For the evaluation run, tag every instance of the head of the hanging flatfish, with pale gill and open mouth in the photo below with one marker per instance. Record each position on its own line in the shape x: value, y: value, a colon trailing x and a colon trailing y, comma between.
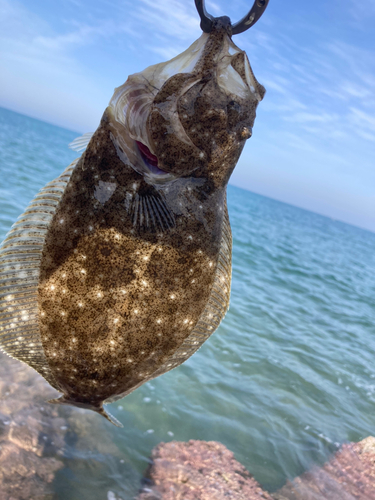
x: 189, y: 116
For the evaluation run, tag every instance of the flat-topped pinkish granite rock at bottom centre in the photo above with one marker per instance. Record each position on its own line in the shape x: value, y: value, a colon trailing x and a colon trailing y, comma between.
x: 198, y: 470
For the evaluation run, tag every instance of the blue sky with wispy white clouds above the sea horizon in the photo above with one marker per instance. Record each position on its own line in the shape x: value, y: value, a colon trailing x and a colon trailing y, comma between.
x: 313, y: 142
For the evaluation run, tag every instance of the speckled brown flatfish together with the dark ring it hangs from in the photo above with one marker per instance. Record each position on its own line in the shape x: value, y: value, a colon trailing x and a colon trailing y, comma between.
x: 120, y: 268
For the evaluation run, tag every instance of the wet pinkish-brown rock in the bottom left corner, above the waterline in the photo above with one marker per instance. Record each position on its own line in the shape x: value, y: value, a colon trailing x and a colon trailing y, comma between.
x: 28, y: 463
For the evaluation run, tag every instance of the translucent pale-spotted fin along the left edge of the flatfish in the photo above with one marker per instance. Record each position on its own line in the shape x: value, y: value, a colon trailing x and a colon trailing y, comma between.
x: 20, y: 258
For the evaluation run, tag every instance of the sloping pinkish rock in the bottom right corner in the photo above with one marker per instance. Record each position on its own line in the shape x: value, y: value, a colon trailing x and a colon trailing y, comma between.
x: 349, y: 475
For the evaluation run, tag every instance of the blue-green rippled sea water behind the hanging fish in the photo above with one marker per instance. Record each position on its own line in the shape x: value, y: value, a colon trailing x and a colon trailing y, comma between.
x: 288, y: 376
